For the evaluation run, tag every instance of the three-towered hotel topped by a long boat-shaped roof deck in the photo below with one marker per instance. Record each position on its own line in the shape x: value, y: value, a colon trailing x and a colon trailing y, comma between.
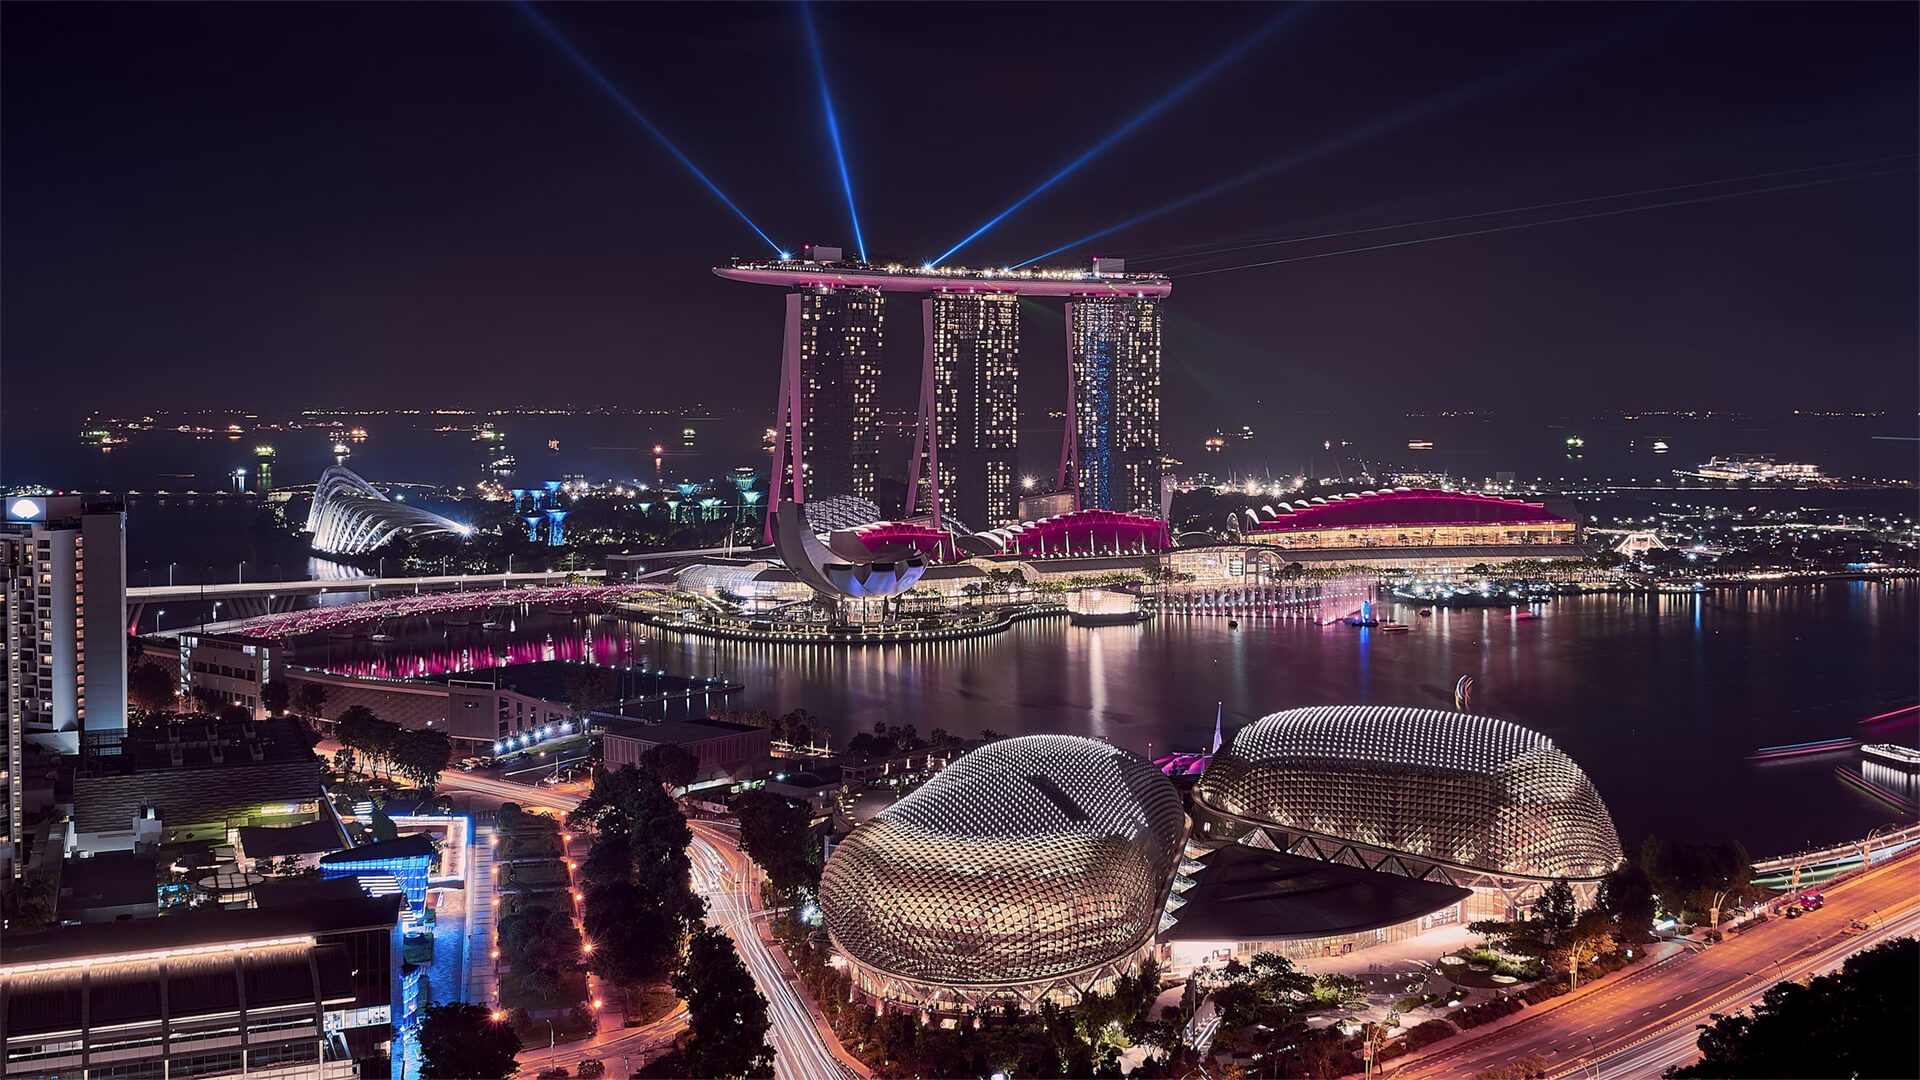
x: 965, y: 462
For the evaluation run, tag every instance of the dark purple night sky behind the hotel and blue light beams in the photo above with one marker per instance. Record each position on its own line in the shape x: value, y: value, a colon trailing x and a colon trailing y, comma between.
x: 276, y: 207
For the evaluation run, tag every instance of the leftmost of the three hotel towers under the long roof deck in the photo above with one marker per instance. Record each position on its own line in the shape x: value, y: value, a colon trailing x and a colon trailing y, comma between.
x: 830, y: 387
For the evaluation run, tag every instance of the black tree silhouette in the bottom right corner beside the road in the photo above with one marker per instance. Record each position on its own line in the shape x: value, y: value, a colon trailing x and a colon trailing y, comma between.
x: 1838, y: 1025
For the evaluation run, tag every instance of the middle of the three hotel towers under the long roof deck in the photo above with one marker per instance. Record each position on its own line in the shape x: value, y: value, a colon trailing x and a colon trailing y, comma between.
x: 974, y: 351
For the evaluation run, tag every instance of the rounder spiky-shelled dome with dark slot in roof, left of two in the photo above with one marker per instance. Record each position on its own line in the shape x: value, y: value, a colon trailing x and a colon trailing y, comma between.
x: 1026, y: 870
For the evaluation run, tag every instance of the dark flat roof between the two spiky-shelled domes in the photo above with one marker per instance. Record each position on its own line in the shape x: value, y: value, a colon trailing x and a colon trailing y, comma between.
x: 1257, y: 895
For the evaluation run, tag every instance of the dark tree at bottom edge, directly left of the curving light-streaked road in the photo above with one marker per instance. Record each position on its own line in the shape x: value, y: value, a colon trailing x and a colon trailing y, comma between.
x: 727, y: 1016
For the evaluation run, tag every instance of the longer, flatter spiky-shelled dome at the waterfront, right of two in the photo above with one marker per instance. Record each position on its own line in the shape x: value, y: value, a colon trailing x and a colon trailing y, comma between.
x: 1456, y: 791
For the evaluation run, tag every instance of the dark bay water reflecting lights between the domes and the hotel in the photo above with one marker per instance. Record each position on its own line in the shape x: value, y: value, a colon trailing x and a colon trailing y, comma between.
x: 1660, y: 700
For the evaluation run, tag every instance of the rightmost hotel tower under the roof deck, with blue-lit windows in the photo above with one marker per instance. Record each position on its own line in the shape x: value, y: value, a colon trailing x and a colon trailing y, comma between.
x: 1116, y: 401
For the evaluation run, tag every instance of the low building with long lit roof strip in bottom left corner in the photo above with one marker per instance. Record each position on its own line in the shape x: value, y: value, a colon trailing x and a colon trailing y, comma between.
x: 312, y: 987
